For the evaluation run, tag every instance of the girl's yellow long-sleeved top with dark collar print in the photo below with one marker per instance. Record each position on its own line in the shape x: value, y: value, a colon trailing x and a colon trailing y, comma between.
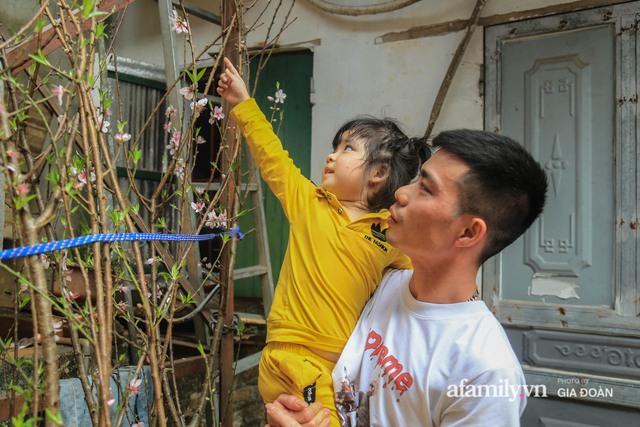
x: 332, y: 264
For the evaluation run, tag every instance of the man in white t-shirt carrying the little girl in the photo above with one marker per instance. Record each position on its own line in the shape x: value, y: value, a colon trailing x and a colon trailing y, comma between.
x: 439, y: 355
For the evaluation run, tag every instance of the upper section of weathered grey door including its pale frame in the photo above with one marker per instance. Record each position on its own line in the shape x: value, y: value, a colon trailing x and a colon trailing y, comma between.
x: 570, y: 96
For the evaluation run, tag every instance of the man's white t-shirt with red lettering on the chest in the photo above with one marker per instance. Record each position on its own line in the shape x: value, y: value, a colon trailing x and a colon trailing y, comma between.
x: 411, y: 363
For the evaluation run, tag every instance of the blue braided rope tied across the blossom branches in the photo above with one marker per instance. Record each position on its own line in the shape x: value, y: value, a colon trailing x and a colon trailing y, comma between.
x: 115, y: 237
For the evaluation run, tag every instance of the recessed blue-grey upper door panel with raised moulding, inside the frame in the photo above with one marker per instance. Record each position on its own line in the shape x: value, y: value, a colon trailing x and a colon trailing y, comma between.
x: 565, y: 118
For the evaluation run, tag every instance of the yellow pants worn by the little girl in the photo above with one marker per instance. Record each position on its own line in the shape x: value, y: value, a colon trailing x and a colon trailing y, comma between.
x: 294, y: 369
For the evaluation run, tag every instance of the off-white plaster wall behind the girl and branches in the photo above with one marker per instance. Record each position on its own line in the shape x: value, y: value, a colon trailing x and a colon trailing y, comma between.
x: 352, y: 74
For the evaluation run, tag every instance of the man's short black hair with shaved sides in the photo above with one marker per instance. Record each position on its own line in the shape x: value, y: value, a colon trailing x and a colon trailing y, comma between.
x: 505, y: 185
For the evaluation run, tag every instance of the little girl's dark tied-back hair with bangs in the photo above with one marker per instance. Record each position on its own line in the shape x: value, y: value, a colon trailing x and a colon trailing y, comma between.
x: 386, y: 144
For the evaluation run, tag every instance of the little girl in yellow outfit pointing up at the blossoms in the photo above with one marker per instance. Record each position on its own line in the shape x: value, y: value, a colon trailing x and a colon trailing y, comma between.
x: 337, y: 248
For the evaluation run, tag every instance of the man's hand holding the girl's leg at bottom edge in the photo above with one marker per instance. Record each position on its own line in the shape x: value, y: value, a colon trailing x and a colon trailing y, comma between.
x: 291, y: 411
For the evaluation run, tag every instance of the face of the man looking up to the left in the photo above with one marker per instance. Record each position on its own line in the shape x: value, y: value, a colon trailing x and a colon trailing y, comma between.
x: 425, y: 220
